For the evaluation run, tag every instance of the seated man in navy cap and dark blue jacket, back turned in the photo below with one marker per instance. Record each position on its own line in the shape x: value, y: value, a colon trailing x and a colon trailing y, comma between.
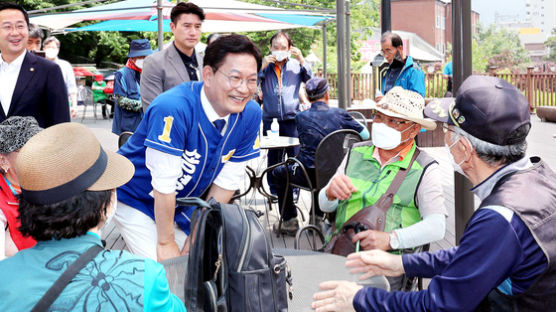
x: 312, y: 125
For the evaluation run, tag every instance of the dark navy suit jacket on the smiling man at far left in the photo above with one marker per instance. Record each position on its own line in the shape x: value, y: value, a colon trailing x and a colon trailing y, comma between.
x: 40, y: 92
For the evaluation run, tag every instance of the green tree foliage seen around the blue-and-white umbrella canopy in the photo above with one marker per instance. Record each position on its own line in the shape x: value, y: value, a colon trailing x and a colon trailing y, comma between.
x: 104, y: 48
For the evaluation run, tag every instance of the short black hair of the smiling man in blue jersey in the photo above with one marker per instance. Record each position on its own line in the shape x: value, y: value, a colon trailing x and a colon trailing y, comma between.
x: 230, y: 44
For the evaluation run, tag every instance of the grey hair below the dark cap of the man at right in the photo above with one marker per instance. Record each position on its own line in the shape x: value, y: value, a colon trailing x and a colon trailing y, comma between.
x: 496, y: 155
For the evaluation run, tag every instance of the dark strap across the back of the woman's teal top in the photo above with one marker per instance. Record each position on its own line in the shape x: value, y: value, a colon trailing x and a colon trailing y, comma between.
x: 56, y: 289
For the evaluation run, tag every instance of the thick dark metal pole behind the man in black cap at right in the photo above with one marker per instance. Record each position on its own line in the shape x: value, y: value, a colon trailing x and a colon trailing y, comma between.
x: 461, y: 28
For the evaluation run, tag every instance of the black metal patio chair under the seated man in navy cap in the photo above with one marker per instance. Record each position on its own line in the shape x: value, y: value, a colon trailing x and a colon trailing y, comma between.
x: 328, y: 156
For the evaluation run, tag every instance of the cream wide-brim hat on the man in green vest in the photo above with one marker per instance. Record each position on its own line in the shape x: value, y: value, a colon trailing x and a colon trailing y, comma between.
x: 405, y: 104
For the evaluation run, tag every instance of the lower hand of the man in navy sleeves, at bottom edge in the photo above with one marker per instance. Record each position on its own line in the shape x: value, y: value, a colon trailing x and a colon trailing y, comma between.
x: 336, y: 296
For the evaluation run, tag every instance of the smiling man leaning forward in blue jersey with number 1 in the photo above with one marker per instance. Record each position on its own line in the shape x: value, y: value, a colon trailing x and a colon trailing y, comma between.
x: 194, y: 138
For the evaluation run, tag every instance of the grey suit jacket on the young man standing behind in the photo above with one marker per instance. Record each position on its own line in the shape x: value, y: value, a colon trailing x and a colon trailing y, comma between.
x: 164, y: 70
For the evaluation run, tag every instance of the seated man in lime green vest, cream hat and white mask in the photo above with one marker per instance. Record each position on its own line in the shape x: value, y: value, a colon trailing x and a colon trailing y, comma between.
x: 417, y: 215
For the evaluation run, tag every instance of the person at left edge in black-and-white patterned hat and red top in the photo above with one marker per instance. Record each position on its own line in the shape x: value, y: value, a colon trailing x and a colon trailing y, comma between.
x: 14, y: 133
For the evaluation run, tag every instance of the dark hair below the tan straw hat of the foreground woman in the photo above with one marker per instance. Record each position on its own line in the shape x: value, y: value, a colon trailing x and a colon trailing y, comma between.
x: 66, y: 219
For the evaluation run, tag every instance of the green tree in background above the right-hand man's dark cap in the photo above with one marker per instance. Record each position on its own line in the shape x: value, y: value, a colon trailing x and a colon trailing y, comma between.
x: 500, y: 48
